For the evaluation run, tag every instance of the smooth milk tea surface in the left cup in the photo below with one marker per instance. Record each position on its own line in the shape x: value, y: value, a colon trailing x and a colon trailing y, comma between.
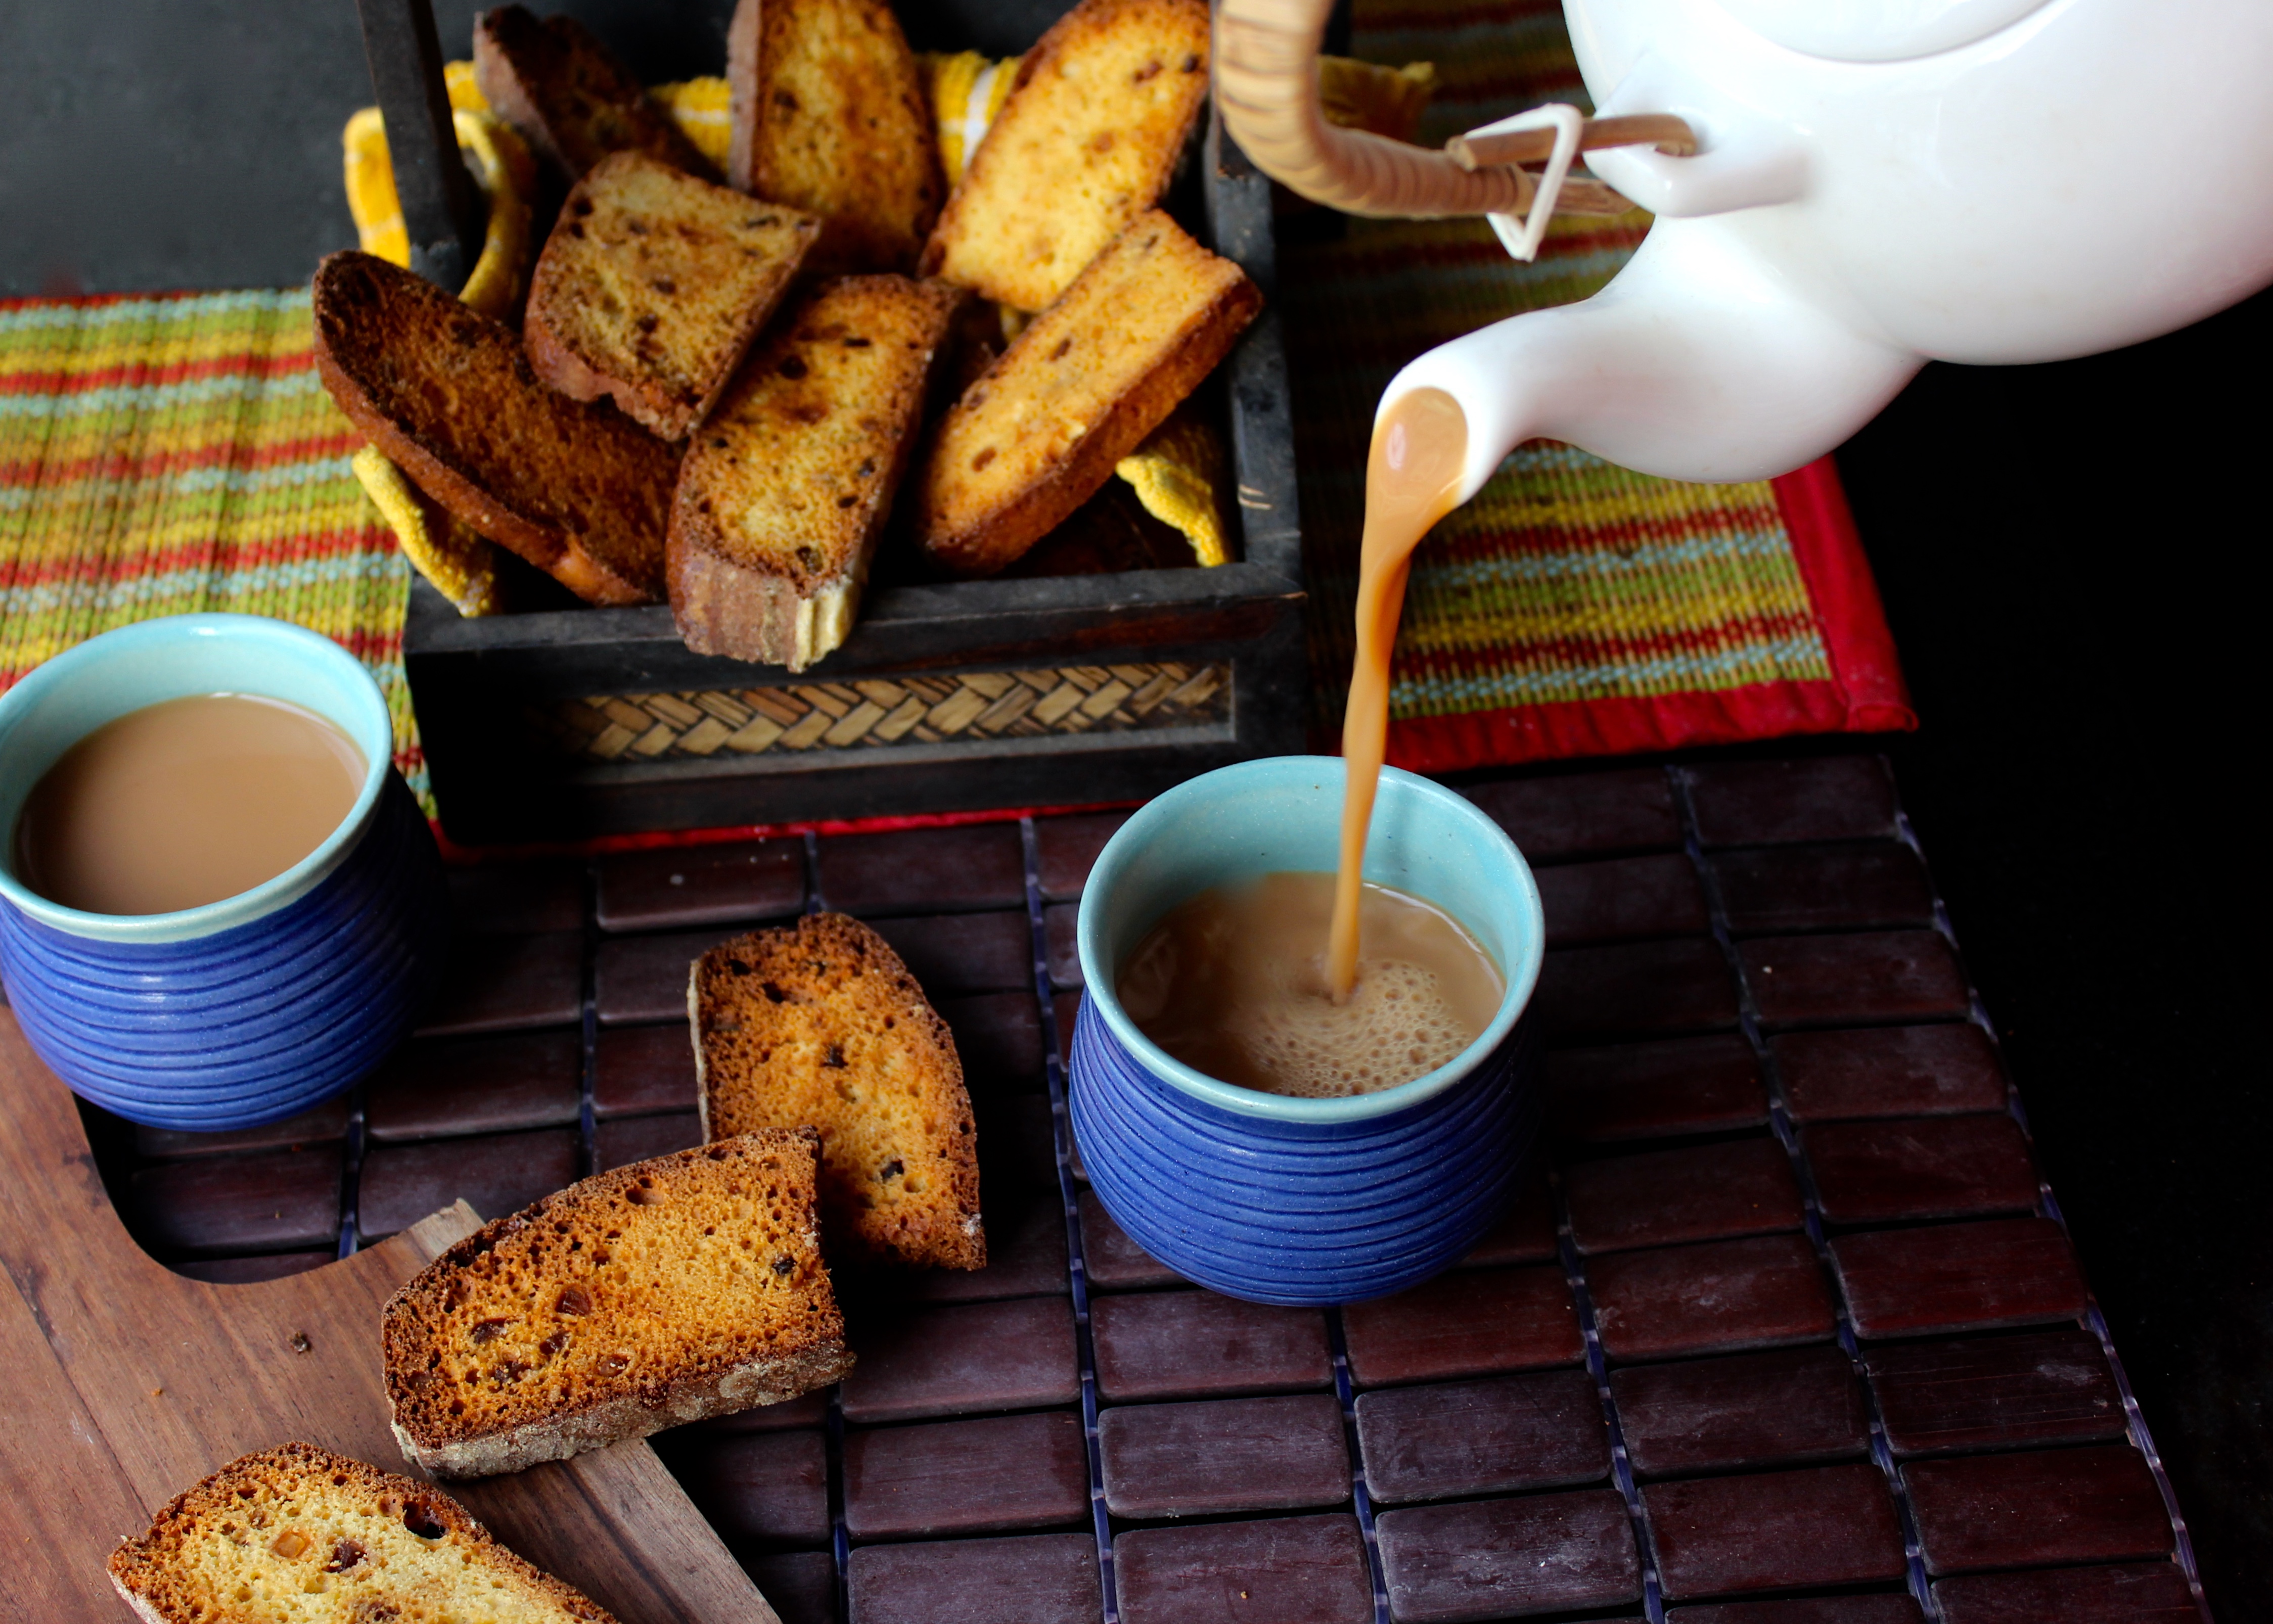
x: 185, y: 803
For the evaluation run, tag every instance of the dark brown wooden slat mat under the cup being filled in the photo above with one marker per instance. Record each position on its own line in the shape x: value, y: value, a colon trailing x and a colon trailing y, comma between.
x: 1788, y: 1312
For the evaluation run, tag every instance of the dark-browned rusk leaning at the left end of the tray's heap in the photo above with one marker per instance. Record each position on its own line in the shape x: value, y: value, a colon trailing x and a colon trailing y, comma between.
x: 449, y: 396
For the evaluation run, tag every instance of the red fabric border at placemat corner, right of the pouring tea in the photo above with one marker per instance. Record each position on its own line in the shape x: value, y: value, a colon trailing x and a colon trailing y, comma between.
x: 1865, y: 694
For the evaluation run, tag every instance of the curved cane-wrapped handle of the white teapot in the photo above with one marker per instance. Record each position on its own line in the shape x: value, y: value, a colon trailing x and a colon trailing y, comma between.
x: 1267, y: 85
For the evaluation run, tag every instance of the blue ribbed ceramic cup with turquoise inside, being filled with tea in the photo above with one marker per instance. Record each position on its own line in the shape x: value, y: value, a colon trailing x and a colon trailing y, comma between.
x: 1304, y: 1200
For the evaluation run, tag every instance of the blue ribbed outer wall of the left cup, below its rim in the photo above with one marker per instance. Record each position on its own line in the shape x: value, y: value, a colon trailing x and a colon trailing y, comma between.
x: 258, y: 1023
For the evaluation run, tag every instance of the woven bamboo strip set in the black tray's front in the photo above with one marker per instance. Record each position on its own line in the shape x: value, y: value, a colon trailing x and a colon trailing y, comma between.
x: 969, y: 708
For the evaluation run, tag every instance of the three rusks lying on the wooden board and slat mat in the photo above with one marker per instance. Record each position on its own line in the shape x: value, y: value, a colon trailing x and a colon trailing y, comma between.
x: 651, y: 1296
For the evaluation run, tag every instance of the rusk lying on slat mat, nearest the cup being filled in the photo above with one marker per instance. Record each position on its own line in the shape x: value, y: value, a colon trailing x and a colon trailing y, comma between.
x: 822, y: 1023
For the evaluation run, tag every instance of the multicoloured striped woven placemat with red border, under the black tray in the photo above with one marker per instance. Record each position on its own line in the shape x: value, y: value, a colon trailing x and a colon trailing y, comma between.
x: 163, y: 455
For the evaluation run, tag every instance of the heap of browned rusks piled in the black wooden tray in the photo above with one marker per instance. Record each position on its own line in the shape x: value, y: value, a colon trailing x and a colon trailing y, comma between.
x: 728, y: 390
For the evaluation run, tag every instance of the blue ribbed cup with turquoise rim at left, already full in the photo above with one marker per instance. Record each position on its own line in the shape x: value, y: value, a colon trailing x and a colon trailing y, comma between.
x: 256, y: 1007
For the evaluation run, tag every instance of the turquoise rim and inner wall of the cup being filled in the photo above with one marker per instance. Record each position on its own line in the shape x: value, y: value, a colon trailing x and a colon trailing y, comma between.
x: 1279, y: 773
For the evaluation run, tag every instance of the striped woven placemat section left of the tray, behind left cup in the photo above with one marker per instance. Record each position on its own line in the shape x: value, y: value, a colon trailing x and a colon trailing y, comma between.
x: 169, y: 455
